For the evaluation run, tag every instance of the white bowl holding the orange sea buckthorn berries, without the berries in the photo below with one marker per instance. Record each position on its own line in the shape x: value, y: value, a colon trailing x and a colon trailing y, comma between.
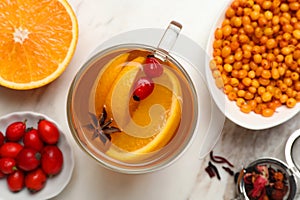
x: 229, y: 108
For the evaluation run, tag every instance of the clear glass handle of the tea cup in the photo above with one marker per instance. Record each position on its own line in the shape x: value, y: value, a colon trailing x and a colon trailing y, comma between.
x: 168, y: 40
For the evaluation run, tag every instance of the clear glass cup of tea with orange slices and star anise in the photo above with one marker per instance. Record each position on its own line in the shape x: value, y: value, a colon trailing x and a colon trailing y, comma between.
x: 93, y: 126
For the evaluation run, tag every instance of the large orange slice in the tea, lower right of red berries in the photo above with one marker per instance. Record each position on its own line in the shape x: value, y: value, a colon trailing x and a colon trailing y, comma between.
x: 155, y: 131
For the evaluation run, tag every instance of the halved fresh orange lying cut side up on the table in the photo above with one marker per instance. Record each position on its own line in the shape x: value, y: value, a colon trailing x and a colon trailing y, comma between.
x: 38, y: 39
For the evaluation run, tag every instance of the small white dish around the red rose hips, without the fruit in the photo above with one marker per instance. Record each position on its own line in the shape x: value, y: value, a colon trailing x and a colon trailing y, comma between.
x: 54, y: 184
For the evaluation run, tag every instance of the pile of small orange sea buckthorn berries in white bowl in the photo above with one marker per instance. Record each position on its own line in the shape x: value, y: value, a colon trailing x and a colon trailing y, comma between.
x: 256, y: 55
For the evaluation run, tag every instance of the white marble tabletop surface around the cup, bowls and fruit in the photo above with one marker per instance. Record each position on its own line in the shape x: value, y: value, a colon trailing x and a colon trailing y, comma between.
x: 98, y: 21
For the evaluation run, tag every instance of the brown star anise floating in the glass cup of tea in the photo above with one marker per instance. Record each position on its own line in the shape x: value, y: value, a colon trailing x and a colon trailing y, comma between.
x: 101, y: 127
